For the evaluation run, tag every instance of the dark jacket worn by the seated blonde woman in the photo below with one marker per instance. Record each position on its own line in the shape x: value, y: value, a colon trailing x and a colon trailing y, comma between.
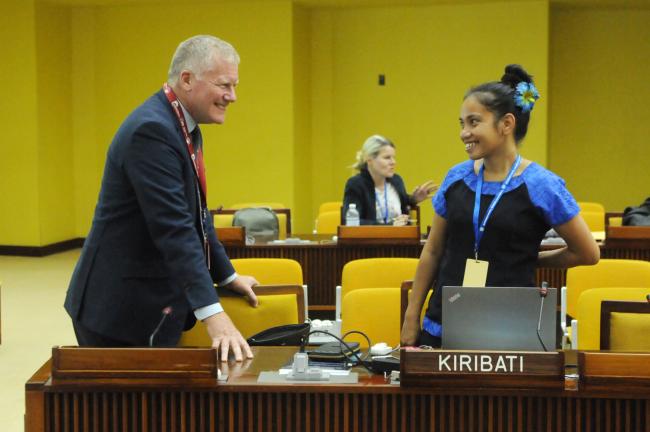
x: 360, y: 190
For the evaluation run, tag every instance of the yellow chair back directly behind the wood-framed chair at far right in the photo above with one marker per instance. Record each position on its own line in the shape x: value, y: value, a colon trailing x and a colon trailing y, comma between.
x: 586, y: 329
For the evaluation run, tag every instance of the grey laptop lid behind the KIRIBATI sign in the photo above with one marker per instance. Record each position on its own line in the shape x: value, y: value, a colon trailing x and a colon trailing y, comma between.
x: 498, y: 318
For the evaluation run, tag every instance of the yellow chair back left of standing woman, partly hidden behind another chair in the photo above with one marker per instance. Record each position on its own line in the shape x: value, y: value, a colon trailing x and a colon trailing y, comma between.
x: 372, y: 273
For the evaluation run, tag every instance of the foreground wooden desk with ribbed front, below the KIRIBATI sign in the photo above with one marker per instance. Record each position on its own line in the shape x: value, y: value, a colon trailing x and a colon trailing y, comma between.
x: 372, y: 405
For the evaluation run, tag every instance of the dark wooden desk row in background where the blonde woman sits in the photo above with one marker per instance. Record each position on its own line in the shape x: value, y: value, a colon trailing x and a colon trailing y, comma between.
x: 322, y: 259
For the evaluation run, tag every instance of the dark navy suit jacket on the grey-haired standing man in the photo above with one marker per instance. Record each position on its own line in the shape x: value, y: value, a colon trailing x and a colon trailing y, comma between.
x: 144, y: 250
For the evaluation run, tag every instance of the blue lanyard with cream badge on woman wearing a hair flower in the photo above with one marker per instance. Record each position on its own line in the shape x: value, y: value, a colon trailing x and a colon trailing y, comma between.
x: 476, y: 270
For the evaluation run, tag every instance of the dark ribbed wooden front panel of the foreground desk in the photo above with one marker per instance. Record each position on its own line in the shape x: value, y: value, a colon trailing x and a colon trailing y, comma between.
x: 279, y: 410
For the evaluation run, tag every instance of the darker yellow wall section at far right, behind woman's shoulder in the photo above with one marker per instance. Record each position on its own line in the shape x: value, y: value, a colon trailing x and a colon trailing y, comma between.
x: 598, y: 134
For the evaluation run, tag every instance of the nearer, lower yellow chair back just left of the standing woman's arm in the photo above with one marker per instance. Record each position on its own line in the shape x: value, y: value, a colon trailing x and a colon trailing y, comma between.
x: 375, y: 312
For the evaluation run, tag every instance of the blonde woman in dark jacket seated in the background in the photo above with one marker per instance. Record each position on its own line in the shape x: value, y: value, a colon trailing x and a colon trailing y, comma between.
x: 379, y: 193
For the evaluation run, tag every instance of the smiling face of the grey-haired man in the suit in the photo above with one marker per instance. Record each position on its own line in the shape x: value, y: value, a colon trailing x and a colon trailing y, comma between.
x: 209, y: 93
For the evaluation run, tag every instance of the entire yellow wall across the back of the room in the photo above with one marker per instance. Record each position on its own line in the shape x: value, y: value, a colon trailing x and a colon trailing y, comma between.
x: 308, y: 97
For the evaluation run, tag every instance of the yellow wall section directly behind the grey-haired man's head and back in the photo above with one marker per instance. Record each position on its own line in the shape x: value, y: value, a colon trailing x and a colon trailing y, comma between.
x: 250, y: 157
